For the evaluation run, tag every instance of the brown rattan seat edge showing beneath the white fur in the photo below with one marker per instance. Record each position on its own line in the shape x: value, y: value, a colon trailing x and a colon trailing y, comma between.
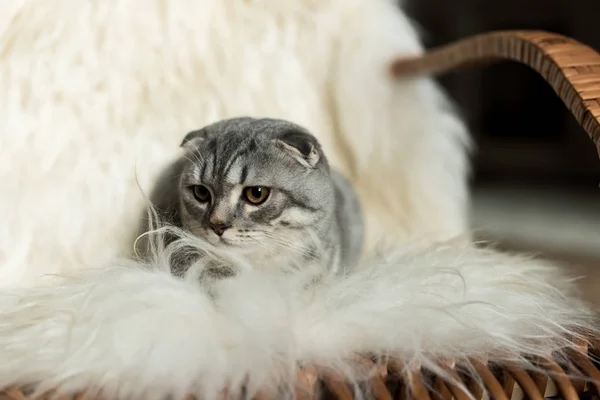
x: 390, y: 381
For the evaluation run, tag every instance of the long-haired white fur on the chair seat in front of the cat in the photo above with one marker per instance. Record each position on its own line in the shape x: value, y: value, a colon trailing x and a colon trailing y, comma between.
x: 137, y: 332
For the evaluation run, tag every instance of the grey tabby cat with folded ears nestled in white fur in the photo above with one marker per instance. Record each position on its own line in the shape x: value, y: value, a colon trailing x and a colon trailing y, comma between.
x: 262, y: 188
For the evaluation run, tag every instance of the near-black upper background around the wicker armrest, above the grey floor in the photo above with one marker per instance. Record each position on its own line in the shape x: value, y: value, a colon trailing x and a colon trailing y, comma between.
x: 523, y: 131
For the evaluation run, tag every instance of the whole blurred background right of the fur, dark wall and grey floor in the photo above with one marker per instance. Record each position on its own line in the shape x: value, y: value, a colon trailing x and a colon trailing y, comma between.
x: 536, y: 173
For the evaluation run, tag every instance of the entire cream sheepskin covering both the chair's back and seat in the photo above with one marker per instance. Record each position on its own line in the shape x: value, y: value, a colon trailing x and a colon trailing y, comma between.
x: 95, y: 97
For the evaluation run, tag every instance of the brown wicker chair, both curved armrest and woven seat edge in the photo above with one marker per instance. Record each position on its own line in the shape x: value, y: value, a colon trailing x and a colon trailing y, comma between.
x: 573, y: 70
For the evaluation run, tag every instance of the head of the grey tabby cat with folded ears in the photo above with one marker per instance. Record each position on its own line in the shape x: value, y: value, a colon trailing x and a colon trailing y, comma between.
x: 255, y: 185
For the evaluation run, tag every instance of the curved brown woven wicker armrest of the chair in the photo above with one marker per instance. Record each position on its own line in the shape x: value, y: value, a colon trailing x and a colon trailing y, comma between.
x: 571, y: 68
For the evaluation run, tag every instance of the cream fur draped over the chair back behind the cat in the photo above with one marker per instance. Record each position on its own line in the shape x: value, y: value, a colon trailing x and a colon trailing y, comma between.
x: 96, y: 91
